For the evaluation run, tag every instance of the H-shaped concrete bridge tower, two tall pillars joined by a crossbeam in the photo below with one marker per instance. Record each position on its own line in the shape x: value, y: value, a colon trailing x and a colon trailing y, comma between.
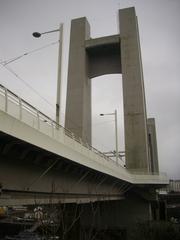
x: 113, y: 54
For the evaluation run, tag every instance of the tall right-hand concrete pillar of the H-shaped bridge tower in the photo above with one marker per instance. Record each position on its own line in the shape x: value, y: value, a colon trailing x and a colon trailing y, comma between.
x: 136, y: 144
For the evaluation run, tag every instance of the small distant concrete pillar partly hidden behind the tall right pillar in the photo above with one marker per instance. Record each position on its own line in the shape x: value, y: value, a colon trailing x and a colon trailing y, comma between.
x: 153, y: 152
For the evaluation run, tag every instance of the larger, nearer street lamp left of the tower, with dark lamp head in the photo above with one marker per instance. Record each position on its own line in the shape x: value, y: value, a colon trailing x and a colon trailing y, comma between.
x: 58, y: 97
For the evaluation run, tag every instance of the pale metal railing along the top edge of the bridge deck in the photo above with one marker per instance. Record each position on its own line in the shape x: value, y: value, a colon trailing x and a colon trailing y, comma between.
x: 8, y: 102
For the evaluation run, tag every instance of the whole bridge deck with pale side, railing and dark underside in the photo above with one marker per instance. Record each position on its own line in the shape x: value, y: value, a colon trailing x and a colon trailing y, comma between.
x: 43, y: 162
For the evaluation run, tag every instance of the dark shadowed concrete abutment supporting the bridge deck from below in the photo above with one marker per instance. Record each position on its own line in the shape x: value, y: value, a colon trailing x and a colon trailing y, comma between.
x: 115, y: 218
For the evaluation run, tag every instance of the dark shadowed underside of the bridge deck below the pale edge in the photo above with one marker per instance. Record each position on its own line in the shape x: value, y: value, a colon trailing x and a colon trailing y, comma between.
x: 29, y: 173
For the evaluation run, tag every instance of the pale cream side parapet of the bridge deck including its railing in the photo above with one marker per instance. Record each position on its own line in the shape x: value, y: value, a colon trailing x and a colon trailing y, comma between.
x: 31, y: 125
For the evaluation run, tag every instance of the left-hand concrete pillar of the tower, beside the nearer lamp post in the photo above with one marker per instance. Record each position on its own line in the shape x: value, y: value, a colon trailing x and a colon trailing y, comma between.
x: 78, y: 101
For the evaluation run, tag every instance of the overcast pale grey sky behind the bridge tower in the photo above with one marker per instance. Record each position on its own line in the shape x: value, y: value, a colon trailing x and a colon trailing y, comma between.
x: 159, y: 27
